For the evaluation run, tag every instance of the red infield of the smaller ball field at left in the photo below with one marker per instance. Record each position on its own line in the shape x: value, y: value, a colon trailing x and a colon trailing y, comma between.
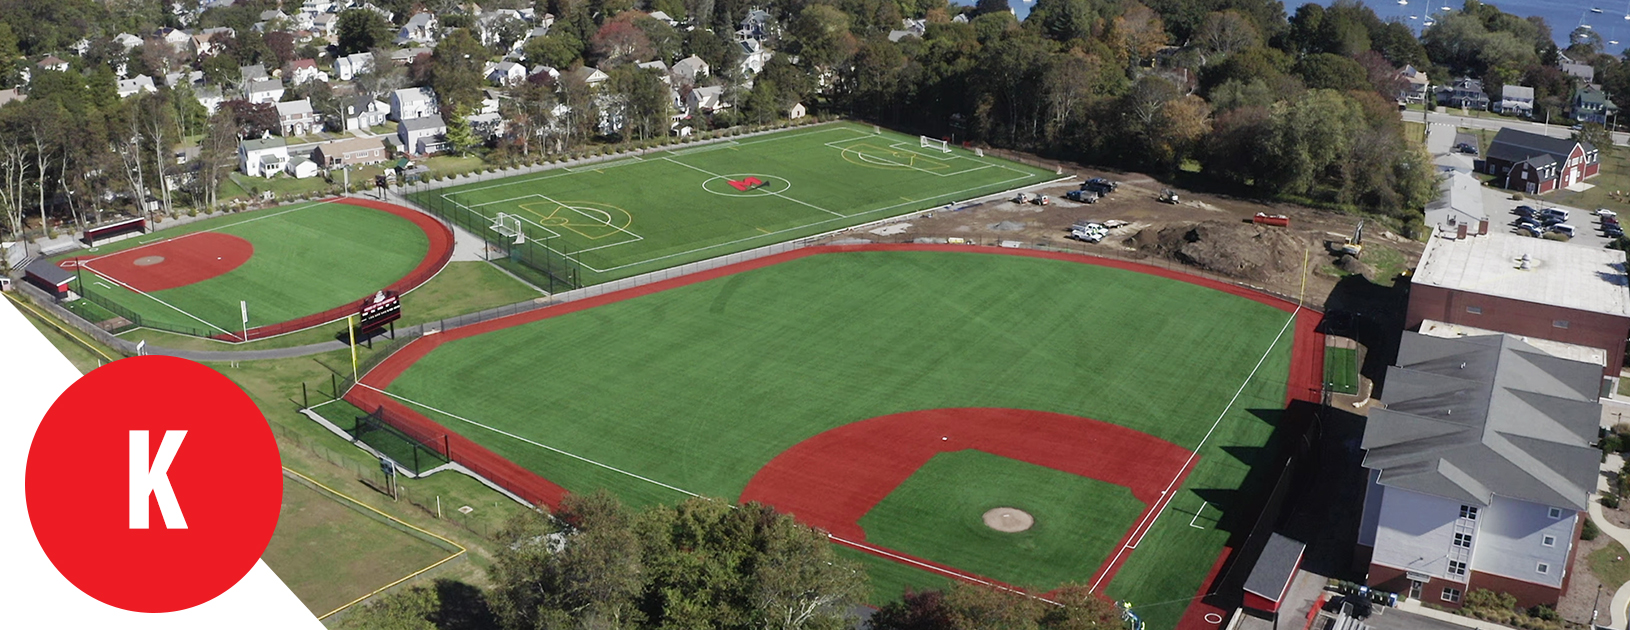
x: 170, y: 263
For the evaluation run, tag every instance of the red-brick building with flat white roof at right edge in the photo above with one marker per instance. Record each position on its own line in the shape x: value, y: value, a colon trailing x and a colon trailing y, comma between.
x: 1526, y: 287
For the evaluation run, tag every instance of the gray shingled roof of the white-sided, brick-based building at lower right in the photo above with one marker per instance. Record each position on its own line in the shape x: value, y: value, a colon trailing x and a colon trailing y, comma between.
x: 1474, y: 418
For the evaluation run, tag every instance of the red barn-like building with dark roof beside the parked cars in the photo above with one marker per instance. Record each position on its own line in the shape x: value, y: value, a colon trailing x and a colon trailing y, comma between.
x: 1538, y: 164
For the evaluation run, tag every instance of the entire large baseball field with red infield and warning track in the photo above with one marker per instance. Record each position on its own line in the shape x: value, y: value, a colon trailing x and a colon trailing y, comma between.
x: 1028, y: 419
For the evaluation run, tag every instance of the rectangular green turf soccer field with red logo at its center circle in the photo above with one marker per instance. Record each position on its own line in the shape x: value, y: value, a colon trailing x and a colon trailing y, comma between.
x: 643, y: 214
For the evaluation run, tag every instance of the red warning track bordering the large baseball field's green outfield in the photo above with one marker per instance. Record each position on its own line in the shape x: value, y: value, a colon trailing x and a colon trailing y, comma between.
x: 1305, y: 378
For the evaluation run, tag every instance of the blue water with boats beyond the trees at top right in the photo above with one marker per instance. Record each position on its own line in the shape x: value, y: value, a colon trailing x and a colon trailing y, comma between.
x: 1562, y: 15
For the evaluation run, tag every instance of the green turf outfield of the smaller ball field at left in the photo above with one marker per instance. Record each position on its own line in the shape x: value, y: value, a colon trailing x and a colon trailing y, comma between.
x: 307, y: 260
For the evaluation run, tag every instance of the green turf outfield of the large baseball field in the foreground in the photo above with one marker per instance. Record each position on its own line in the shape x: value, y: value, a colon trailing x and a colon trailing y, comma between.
x: 700, y: 387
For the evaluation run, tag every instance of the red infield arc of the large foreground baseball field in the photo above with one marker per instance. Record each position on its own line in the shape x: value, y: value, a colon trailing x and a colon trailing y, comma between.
x: 834, y: 479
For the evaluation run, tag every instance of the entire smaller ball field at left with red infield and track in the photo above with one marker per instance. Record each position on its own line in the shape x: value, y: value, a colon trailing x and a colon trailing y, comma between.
x: 284, y: 268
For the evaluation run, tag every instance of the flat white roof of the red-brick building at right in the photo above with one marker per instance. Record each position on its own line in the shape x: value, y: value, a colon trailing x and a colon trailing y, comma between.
x: 1561, y: 274
